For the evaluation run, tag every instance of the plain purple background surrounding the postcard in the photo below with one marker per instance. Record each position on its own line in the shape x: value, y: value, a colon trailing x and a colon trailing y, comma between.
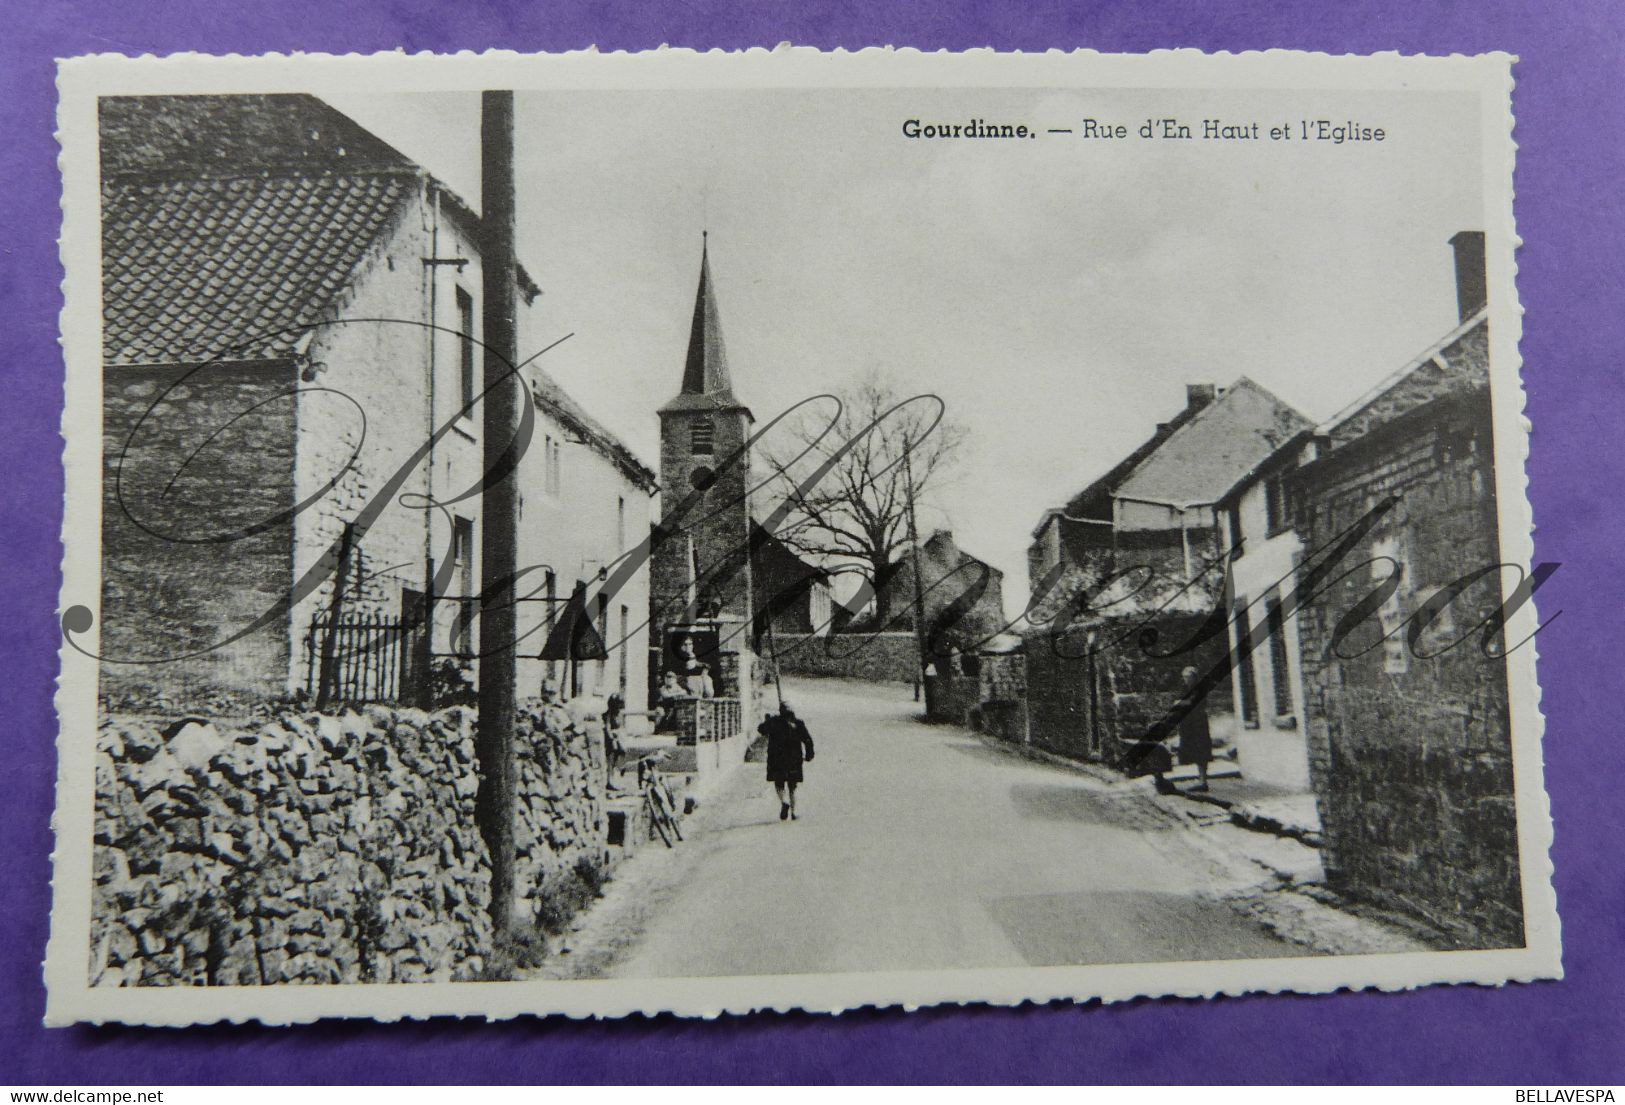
x: 1571, y: 180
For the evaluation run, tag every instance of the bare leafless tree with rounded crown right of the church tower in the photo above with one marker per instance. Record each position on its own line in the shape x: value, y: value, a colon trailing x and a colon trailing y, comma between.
x: 856, y: 516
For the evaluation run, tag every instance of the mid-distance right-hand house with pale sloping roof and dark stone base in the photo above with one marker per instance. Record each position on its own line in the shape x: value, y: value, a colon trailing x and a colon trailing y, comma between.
x: 1143, y: 547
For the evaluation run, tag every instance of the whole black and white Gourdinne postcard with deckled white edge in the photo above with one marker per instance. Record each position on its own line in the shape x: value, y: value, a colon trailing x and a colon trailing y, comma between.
x: 789, y: 531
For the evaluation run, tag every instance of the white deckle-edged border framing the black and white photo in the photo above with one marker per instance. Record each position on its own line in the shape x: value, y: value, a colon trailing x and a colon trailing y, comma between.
x: 84, y: 80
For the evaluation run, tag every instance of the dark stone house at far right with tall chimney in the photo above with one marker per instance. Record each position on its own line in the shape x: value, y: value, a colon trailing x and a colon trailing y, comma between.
x: 1410, y: 732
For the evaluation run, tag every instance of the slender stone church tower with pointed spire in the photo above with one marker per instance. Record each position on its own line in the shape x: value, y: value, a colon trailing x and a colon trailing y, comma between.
x: 701, y: 566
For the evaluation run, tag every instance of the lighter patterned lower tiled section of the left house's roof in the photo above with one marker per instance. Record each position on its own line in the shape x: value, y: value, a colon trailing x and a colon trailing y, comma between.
x: 233, y: 267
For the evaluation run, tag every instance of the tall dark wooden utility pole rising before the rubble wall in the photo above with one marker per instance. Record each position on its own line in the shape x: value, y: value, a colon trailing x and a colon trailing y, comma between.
x: 500, y: 503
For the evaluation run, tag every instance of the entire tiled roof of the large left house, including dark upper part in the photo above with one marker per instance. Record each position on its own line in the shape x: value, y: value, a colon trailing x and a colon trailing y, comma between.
x: 232, y: 219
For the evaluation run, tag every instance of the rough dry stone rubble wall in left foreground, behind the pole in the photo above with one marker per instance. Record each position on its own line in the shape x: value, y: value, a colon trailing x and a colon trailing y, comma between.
x: 321, y: 849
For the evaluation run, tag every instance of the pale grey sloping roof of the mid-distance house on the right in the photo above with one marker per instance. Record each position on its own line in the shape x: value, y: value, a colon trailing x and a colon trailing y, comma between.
x: 1205, y: 457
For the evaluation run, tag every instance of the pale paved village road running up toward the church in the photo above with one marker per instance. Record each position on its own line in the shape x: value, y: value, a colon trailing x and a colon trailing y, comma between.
x: 922, y: 847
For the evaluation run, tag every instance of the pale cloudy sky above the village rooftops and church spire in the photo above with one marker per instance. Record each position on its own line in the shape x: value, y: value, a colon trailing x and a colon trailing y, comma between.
x: 1057, y: 293
